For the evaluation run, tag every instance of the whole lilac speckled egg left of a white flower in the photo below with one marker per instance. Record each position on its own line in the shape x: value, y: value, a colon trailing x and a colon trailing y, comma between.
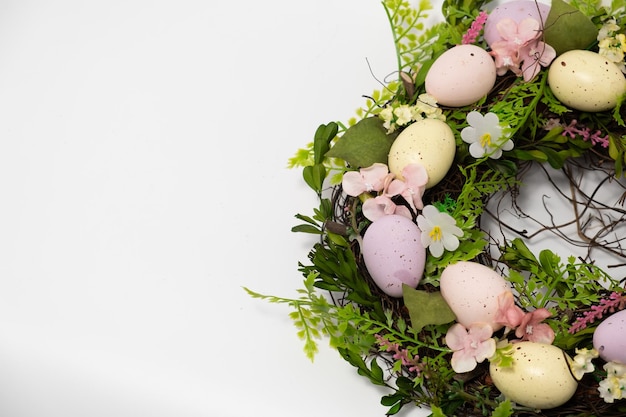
x: 393, y: 253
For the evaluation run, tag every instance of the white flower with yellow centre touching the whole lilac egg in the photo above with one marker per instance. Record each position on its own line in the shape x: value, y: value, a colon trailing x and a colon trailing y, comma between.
x: 439, y: 231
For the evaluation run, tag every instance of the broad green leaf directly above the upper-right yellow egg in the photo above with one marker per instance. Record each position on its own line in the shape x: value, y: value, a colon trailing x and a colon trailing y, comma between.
x: 568, y: 28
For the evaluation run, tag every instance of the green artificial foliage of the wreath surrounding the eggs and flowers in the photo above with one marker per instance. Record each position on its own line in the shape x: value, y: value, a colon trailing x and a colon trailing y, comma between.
x: 399, y: 343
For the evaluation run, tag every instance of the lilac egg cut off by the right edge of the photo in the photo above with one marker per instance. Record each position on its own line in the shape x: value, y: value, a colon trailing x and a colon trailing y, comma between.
x: 609, y: 338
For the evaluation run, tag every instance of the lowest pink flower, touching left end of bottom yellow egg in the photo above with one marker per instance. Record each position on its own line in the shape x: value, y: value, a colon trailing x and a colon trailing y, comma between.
x: 471, y: 346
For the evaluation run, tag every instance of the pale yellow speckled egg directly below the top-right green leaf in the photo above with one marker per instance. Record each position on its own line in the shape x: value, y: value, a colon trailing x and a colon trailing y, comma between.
x: 586, y: 81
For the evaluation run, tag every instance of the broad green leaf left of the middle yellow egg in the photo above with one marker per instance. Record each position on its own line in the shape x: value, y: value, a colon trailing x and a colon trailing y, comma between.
x: 363, y: 144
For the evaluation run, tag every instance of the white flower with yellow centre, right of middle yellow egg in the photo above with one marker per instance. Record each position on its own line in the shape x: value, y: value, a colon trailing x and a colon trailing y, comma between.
x: 484, y: 134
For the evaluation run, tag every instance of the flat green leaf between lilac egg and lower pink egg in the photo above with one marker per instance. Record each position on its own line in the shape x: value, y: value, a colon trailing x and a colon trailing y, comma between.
x: 426, y: 308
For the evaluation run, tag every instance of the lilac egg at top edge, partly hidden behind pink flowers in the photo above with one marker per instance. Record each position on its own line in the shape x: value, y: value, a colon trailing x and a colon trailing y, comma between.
x: 516, y: 10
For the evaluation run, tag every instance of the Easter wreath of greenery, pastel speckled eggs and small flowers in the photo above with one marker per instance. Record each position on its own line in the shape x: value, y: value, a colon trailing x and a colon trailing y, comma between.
x: 408, y: 282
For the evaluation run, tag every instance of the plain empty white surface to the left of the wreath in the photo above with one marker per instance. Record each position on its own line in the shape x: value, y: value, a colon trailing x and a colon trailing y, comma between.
x: 143, y: 147
